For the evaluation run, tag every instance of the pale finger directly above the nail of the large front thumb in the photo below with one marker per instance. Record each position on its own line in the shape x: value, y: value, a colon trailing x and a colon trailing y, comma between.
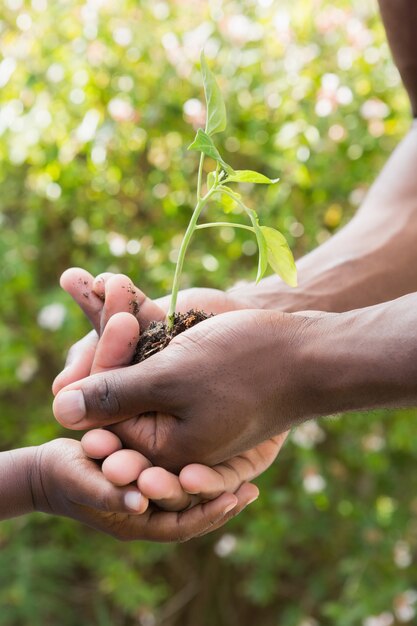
x: 79, y: 362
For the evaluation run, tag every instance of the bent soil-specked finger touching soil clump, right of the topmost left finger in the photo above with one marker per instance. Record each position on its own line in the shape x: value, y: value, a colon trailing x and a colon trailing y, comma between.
x: 122, y: 295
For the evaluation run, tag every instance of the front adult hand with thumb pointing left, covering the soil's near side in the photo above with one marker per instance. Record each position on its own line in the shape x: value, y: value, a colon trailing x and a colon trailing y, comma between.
x: 218, y: 389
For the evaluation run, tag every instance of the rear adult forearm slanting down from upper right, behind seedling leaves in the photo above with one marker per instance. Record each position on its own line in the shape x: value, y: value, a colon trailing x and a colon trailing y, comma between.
x: 370, y: 260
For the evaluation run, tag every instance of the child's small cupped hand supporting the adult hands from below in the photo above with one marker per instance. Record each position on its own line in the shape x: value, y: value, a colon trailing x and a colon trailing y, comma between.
x: 65, y: 482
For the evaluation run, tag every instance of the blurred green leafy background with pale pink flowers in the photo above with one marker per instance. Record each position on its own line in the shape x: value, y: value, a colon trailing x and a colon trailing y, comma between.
x: 98, y: 101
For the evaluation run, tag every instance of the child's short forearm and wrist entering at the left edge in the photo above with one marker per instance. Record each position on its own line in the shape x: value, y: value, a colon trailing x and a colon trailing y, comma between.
x: 16, y: 467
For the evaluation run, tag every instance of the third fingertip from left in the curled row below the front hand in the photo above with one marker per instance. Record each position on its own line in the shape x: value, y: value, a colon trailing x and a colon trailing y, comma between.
x: 164, y: 489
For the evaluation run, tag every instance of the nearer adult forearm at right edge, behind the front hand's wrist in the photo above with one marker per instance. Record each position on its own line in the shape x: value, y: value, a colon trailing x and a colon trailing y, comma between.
x: 360, y: 360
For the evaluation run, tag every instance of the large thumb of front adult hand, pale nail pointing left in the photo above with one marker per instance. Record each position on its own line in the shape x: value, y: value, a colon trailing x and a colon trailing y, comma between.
x: 114, y: 396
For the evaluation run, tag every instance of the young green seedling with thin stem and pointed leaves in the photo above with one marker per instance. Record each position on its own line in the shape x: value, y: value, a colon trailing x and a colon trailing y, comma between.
x: 273, y: 247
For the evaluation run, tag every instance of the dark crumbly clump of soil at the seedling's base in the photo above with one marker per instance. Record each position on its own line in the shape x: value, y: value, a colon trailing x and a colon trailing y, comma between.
x: 157, y: 336
